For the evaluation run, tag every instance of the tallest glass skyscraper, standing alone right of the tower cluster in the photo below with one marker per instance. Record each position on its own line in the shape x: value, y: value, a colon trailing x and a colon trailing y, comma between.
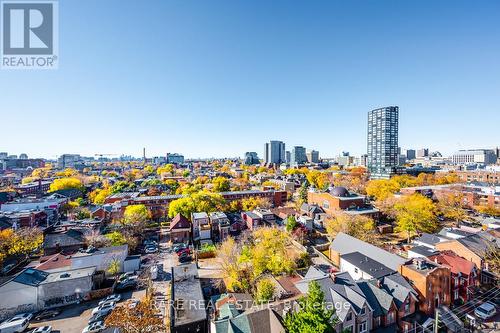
x: 383, y: 141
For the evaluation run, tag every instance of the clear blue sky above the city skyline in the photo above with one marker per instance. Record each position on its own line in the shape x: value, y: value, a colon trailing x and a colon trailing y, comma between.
x: 218, y: 78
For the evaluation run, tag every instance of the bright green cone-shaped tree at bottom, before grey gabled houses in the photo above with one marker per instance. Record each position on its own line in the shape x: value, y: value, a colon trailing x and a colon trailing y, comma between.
x: 313, y: 315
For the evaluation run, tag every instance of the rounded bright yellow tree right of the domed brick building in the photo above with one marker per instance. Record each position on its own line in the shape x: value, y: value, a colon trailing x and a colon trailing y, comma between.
x: 415, y: 213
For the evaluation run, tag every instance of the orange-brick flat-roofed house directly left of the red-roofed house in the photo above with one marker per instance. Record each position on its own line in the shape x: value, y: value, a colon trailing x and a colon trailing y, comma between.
x: 430, y: 280
